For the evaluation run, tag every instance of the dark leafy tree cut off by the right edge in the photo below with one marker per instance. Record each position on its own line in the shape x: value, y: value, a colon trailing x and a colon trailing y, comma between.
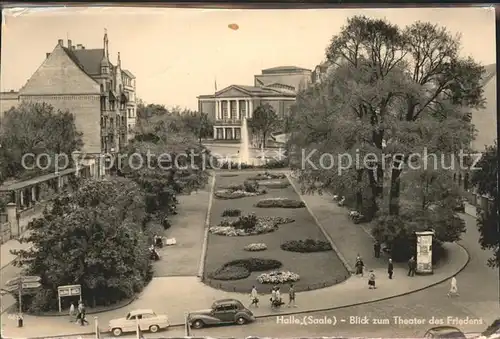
x: 485, y: 180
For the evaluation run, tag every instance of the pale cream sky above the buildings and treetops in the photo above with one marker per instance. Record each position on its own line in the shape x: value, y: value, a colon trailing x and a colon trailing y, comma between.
x: 178, y: 54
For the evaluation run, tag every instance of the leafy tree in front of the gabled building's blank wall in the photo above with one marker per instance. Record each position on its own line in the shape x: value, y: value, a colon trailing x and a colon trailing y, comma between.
x: 35, y: 128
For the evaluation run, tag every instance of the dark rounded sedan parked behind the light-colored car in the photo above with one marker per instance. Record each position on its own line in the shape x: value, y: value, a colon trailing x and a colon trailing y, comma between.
x: 224, y: 311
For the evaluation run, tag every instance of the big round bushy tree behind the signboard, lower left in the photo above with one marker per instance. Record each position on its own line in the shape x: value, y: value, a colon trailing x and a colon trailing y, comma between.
x: 92, y: 237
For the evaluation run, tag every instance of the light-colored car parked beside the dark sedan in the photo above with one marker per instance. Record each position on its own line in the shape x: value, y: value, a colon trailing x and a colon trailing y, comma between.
x: 147, y: 319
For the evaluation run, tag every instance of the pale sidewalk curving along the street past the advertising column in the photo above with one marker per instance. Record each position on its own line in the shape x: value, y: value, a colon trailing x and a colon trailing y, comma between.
x: 175, y: 295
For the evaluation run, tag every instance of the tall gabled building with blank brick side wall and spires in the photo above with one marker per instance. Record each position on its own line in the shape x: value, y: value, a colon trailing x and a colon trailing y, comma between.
x: 85, y: 82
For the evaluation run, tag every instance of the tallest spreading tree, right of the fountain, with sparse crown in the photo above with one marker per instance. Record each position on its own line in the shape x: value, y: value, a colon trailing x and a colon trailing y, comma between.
x: 391, y: 93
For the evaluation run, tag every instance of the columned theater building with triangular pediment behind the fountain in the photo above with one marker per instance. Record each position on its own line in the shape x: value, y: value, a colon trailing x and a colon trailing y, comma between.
x: 277, y: 87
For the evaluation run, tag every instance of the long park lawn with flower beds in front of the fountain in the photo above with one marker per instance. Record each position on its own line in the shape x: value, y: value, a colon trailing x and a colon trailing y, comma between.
x: 316, y: 270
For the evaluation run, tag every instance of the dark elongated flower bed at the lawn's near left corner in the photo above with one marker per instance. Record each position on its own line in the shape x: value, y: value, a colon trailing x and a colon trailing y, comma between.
x: 241, y: 268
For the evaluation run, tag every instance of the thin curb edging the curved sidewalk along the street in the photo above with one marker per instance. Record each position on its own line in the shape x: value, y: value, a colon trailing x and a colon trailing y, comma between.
x: 310, y: 311
